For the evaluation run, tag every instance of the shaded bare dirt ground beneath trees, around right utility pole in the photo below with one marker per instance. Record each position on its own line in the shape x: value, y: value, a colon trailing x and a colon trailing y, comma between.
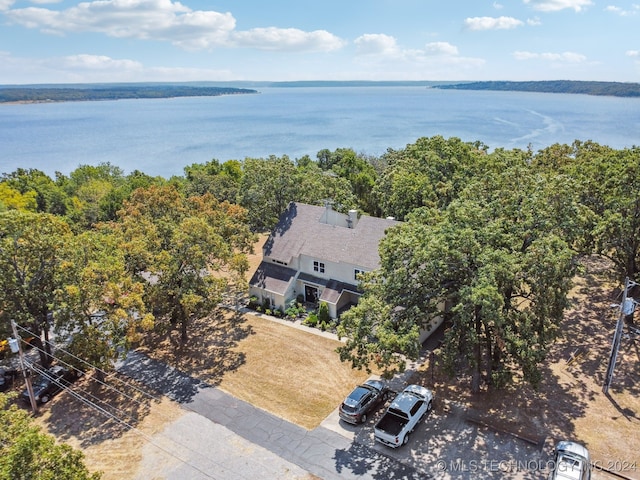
x: 570, y: 403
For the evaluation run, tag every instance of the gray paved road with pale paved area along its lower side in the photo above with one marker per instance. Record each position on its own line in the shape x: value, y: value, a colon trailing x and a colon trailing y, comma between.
x: 230, y: 427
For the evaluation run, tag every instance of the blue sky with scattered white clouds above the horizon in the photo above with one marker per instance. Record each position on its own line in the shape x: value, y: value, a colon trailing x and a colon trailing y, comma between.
x: 54, y: 41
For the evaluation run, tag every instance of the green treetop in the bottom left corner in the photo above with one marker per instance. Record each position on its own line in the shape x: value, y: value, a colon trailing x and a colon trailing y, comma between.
x: 26, y: 452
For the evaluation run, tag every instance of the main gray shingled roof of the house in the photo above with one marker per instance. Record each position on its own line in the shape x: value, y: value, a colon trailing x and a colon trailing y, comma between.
x: 300, y: 232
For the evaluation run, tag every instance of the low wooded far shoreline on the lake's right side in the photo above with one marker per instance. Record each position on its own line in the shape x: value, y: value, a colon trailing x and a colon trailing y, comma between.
x: 615, y: 89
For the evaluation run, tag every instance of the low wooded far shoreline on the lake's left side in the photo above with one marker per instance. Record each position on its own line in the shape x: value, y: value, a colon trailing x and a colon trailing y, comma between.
x: 68, y: 94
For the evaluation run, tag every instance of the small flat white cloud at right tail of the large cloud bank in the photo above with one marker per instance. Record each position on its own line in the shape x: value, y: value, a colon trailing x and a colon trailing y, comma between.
x: 287, y: 39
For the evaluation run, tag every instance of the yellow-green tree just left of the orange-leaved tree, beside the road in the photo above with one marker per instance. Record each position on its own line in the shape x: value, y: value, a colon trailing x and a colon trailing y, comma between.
x: 100, y: 308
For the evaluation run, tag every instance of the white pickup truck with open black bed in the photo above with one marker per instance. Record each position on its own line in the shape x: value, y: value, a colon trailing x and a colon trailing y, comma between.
x: 402, y: 416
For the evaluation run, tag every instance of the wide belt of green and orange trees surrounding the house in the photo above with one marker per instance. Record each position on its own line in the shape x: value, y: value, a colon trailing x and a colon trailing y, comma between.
x: 496, y: 236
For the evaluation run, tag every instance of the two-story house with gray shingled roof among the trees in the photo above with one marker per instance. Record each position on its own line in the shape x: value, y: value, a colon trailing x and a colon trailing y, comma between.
x: 316, y: 253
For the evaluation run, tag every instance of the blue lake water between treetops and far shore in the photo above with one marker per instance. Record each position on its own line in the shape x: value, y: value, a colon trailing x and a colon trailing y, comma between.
x: 161, y: 137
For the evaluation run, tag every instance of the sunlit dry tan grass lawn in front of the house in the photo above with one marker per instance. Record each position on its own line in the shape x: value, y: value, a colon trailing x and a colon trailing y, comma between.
x: 293, y: 374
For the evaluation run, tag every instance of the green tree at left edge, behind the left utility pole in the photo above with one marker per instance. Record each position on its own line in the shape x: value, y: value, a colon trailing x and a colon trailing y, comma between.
x: 30, y: 255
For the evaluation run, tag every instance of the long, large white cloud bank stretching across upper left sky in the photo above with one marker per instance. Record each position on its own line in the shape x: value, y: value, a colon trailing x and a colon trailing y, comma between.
x: 166, y: 20
